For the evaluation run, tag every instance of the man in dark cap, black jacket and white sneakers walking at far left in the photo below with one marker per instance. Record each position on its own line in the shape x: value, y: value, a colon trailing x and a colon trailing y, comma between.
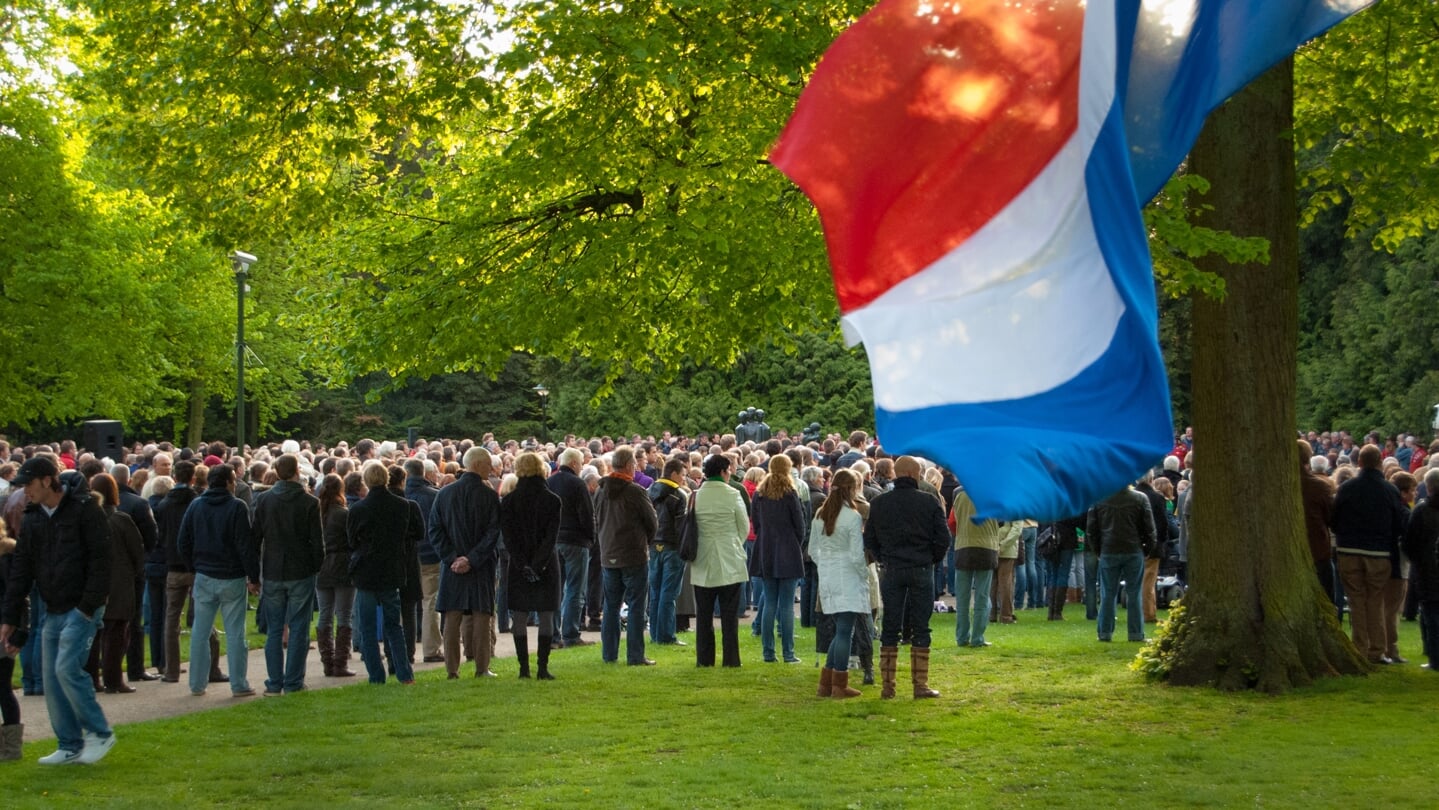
x: 64, y: 547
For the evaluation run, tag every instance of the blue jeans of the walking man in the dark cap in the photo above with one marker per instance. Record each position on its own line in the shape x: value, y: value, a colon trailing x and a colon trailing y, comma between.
x: 70, y: 694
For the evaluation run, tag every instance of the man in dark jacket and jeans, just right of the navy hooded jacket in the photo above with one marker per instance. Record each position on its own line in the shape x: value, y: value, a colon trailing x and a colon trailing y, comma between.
x: 290, y: 539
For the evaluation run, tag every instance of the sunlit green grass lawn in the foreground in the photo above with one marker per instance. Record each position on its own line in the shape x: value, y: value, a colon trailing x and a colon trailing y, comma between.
x: 1045, y: 719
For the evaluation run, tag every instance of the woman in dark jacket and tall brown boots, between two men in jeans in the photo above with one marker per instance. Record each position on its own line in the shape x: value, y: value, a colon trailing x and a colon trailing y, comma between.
x: 335, y: 593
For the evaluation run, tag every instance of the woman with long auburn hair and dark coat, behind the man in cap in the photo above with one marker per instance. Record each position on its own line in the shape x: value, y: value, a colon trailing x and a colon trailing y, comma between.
x: 126, y: 570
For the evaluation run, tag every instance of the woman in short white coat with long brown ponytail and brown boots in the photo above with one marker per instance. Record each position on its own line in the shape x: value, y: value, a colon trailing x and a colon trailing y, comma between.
x: 838, y: 549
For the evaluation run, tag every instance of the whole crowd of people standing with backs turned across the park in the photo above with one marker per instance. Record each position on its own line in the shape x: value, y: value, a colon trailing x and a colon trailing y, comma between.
x: 430, y: 552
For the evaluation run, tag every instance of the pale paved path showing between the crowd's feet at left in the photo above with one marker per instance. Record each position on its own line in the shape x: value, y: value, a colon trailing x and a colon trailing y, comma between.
x: 155, y: 700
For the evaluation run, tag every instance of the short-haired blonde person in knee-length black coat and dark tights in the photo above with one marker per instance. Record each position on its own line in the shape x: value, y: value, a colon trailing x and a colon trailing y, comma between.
x: 530, y: 523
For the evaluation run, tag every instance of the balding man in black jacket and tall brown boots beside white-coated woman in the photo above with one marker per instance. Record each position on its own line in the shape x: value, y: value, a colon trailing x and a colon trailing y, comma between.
x: 907, y: 534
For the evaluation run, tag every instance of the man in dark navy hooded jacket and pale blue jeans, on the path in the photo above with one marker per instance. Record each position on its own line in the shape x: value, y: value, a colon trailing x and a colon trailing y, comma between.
x: 215, y: 542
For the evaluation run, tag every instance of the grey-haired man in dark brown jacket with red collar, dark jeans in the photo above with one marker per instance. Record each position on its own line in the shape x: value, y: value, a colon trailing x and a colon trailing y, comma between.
x: 625, y: 523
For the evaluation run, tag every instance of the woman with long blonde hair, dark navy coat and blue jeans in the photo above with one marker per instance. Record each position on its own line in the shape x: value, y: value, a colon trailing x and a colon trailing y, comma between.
x: 779, y: 558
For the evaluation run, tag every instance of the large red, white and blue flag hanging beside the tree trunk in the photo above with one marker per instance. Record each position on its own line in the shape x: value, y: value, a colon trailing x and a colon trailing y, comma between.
x: 979, y: 169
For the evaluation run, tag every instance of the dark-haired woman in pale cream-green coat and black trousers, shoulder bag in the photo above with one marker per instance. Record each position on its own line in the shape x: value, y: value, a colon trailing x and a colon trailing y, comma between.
x: 720, y: 563
